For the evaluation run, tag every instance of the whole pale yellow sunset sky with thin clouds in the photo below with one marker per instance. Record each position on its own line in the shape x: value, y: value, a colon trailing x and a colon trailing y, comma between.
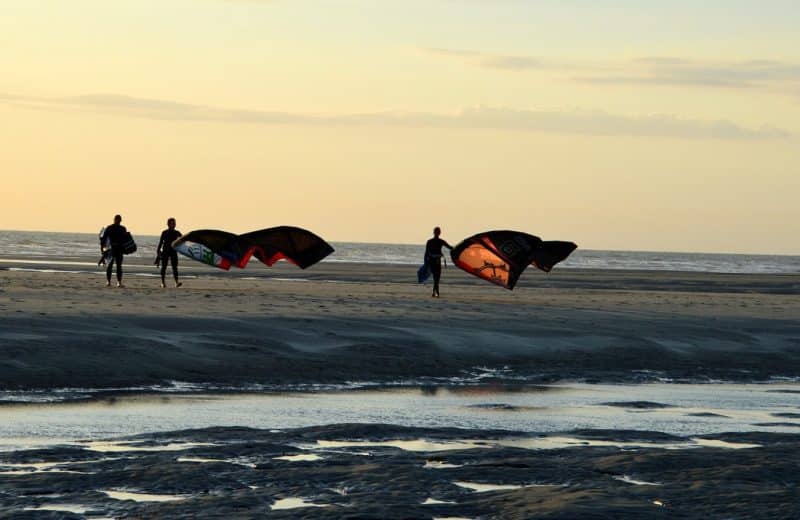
x: 616, y: 124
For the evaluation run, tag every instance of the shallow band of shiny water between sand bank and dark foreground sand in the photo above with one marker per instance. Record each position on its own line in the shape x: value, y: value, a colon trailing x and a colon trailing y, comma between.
x: 678, y: 409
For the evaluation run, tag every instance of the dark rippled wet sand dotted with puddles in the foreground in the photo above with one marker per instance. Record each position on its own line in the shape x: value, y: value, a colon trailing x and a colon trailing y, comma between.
x: 386, y: 472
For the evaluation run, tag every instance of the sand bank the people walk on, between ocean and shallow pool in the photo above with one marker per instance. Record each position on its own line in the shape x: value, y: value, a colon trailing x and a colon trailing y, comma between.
x: 345, y: 322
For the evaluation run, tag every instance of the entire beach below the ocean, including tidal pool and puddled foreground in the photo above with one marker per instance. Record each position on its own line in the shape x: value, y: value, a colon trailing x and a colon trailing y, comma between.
x: 507, y: 357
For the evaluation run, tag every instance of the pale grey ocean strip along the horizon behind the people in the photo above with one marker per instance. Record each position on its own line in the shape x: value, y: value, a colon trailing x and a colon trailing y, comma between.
x: 41, y: 246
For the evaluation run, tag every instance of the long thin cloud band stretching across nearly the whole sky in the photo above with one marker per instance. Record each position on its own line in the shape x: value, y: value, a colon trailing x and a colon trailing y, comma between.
x: 479, y: 117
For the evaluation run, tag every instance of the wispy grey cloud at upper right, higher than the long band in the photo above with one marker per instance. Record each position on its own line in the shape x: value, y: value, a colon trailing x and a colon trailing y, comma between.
x: 648, y: 70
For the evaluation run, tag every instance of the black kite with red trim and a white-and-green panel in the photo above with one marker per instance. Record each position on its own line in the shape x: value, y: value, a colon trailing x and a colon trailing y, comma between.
x: 222, y: 249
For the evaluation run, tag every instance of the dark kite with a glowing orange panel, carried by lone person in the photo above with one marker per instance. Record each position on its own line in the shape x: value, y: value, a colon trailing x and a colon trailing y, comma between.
x: 501, y: 256
